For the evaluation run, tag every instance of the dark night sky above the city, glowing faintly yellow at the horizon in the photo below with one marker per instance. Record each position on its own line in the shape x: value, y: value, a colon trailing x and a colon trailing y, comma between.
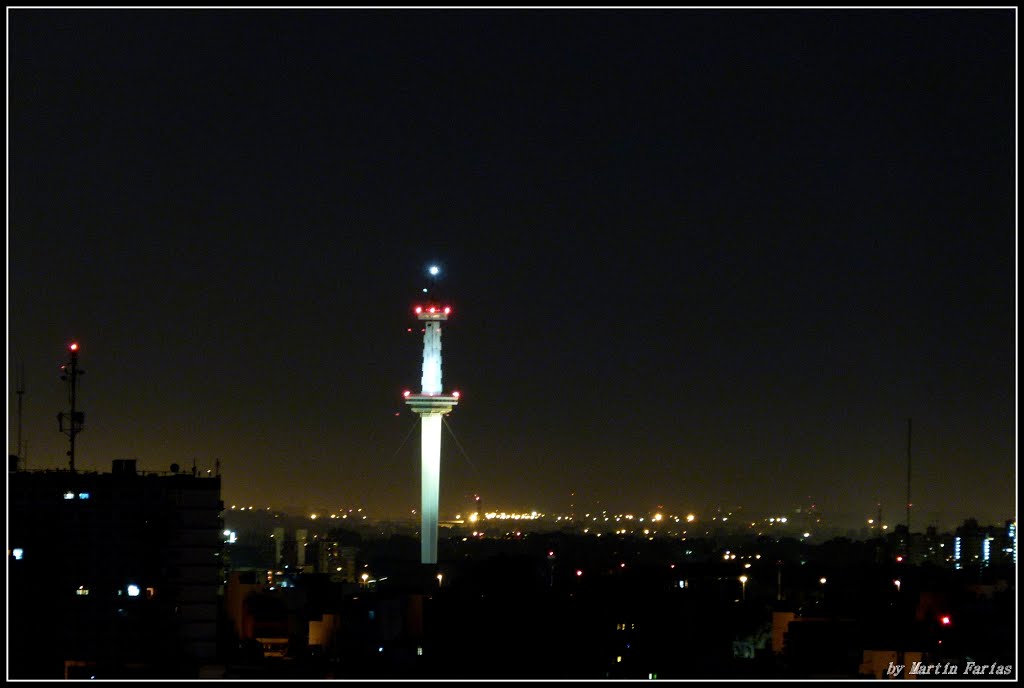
x: 698, y: 259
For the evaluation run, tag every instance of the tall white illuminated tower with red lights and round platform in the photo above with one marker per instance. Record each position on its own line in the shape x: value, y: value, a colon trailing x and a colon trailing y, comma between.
x: 432, y: 405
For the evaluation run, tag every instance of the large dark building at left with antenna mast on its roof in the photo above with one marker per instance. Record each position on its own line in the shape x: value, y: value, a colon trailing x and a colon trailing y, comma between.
x: 113, y: 575
